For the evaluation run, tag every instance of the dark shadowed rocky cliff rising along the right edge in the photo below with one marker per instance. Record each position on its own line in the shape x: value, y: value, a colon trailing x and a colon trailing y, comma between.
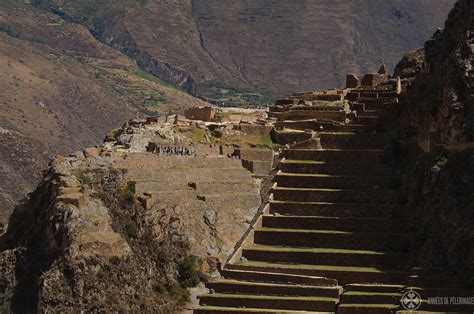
x: 436, y: 122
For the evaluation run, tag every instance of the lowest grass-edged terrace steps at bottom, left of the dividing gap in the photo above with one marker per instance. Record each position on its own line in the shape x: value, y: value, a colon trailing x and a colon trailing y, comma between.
x: 242, y: 291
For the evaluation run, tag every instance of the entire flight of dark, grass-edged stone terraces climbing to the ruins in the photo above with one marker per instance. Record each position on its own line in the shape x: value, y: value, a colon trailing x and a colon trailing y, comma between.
x: 332, y: 237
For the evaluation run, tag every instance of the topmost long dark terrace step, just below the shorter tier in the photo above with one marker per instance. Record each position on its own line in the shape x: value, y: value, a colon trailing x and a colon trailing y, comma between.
x: 328, y: 155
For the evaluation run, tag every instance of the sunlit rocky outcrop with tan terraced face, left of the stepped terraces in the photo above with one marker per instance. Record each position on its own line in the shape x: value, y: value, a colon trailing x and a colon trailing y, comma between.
x: 116, y: 228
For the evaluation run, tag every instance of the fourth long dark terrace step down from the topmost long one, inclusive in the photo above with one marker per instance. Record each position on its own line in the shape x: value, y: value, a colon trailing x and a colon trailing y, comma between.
x: 336, y: 195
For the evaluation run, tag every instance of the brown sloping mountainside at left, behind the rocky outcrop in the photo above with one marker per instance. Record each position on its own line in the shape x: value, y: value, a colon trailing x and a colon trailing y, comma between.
x: 60, y: 90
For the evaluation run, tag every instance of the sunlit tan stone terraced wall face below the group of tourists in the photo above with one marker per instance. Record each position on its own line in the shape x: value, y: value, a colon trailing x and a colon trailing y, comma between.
x: 212, y: 199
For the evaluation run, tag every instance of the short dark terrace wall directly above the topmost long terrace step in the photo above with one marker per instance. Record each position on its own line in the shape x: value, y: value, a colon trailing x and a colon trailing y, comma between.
x: 355, y: 141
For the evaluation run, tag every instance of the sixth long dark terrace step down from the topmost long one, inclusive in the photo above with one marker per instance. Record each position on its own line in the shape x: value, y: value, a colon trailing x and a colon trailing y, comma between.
x: 335, y: 223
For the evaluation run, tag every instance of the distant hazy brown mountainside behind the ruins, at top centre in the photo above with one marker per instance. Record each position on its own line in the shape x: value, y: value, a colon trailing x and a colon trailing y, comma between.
x: 273, y: 47
